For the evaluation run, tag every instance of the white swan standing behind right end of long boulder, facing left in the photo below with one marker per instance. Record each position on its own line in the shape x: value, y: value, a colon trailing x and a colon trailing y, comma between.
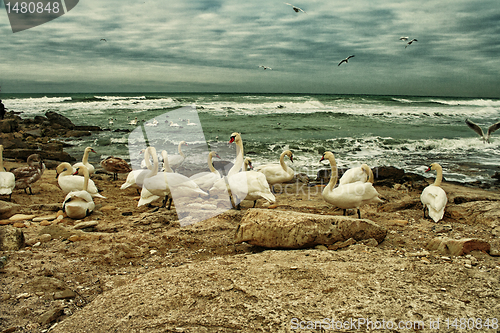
x: 348, y: 196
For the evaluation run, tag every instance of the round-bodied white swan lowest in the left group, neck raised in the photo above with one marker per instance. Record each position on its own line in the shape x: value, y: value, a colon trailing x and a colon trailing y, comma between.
x: 79, y: 204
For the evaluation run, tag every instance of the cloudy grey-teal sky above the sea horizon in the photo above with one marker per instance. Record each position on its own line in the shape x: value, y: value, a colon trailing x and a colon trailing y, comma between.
x: 218, y: 45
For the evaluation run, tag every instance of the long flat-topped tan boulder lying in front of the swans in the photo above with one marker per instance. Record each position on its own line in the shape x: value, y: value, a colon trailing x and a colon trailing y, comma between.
x: 293, y: 230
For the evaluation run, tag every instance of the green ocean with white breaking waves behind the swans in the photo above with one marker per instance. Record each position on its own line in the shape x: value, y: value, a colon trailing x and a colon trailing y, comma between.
x: 401, y: 131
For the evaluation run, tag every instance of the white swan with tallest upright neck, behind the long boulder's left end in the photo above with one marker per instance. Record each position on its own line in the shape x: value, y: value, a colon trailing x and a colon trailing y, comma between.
x: 249, y: 185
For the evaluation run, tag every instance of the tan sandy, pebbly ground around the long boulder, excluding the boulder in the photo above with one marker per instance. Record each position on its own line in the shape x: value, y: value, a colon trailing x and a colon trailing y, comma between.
x: 82, y: 281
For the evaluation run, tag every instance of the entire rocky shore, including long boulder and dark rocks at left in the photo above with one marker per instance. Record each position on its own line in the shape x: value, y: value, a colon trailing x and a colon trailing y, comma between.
x: 295, y: 266
